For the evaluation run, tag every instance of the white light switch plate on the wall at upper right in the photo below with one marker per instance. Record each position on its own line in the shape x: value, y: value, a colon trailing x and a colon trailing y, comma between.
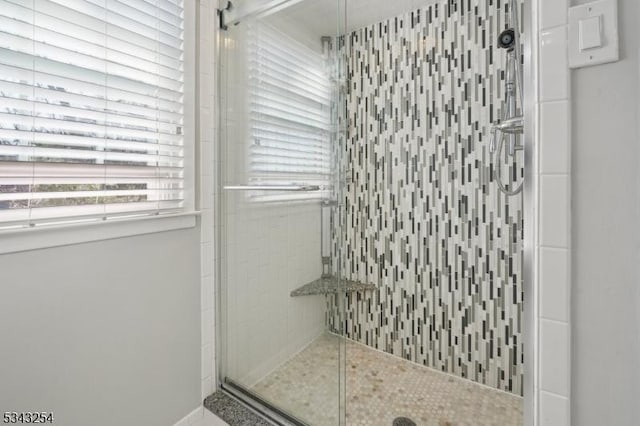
x: 607, y: 12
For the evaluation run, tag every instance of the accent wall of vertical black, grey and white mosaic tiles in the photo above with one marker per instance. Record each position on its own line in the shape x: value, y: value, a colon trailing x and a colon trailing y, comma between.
x: 421, y: 215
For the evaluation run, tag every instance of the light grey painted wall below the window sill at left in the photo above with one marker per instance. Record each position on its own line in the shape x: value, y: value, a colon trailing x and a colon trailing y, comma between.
x: 104, y: 333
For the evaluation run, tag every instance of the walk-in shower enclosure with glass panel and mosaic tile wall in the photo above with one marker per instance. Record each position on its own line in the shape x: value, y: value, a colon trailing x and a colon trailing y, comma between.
x: 371, y: 263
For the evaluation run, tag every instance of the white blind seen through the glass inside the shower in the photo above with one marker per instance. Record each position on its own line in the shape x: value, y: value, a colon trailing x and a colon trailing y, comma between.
x: 290, y: 114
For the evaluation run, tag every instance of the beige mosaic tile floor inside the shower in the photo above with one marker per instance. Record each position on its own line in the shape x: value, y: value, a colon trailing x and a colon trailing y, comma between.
x: 381, y: 388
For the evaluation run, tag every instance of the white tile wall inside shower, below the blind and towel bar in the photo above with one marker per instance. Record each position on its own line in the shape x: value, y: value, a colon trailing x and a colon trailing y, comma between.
x: 275, y: 250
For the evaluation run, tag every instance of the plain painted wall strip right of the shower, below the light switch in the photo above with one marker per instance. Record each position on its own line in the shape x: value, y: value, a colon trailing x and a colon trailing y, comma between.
x: 606, y: 235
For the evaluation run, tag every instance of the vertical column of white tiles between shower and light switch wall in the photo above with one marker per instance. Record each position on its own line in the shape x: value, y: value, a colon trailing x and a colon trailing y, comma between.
x: 553, y: 380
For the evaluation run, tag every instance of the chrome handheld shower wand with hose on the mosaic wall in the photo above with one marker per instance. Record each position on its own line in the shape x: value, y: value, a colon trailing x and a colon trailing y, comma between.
x: 511, y: 125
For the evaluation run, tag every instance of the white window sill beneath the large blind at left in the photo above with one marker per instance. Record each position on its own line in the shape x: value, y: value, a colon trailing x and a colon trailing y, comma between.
x: 19, y: 240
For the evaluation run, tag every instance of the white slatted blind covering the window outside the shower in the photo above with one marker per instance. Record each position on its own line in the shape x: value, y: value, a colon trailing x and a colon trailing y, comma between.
x: 91, y: 112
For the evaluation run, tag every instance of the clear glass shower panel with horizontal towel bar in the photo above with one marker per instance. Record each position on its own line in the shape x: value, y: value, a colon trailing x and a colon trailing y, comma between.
x: 280, y: 96
